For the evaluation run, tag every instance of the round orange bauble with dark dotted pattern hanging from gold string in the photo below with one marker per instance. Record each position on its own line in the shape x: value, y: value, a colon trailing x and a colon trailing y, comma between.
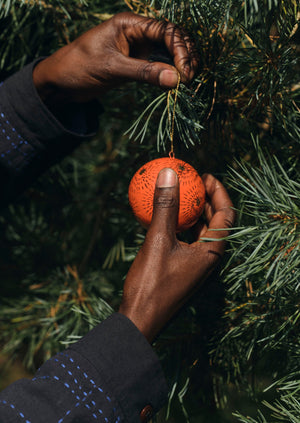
x: 191, y: 190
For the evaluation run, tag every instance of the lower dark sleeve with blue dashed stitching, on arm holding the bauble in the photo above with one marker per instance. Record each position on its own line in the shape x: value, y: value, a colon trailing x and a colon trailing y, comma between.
x: 111, y: 375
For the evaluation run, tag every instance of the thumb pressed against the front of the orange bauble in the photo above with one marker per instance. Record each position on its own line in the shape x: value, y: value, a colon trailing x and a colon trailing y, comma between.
x: 166, y: 202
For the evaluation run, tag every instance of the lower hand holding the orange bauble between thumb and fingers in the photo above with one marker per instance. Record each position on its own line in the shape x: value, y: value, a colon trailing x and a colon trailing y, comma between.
x: 166, y: 271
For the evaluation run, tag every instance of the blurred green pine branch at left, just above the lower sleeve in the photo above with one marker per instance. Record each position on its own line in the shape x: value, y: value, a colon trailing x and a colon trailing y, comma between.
x: 44, y: 320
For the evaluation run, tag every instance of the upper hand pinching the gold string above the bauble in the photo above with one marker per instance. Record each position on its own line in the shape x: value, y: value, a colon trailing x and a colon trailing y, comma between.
x: 112, y: 53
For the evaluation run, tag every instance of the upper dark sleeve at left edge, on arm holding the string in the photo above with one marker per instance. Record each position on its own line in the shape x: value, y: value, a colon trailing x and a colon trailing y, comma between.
x: 31, y: 137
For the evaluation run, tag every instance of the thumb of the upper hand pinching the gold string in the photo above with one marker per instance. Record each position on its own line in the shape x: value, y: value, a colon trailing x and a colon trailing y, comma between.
x: 155, y: 73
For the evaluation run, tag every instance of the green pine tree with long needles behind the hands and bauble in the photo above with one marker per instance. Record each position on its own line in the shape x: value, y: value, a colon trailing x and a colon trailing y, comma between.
x: 233, y: 353
